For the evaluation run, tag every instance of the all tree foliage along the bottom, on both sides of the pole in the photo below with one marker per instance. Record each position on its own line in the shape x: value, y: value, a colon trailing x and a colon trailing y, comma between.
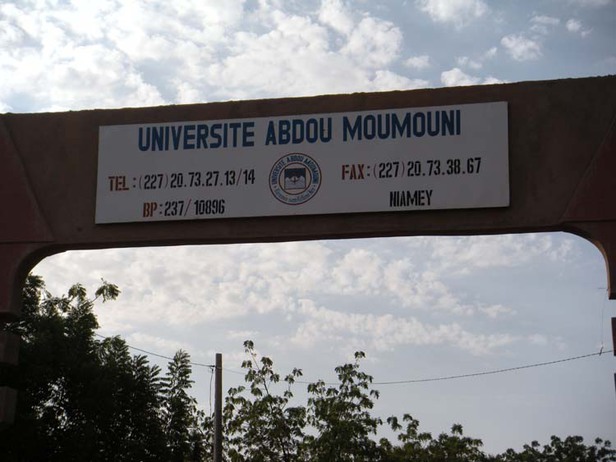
x: 83, y: 398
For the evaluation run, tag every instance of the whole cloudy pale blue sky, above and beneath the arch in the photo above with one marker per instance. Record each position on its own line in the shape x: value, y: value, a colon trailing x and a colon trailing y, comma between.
x: 419, y: 307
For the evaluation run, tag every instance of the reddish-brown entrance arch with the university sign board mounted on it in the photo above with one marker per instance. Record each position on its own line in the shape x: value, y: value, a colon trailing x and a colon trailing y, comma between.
x: 512, y: 158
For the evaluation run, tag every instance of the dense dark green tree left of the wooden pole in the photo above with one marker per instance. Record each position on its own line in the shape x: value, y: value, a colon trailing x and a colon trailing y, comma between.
x: 81, y: 398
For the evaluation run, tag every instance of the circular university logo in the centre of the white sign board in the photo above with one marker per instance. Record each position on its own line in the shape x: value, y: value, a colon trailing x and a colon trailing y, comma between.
x: 295, y: 178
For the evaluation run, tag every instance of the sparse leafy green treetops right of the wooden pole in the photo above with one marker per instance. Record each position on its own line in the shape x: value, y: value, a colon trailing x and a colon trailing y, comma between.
x: 337, y: 425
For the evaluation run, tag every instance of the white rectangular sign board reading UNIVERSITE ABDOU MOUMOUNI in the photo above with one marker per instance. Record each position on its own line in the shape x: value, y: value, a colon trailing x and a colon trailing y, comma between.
x: 447, y: 157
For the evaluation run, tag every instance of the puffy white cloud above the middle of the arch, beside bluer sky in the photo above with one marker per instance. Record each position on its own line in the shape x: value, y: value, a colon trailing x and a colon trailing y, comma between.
x: 296, y: 57
